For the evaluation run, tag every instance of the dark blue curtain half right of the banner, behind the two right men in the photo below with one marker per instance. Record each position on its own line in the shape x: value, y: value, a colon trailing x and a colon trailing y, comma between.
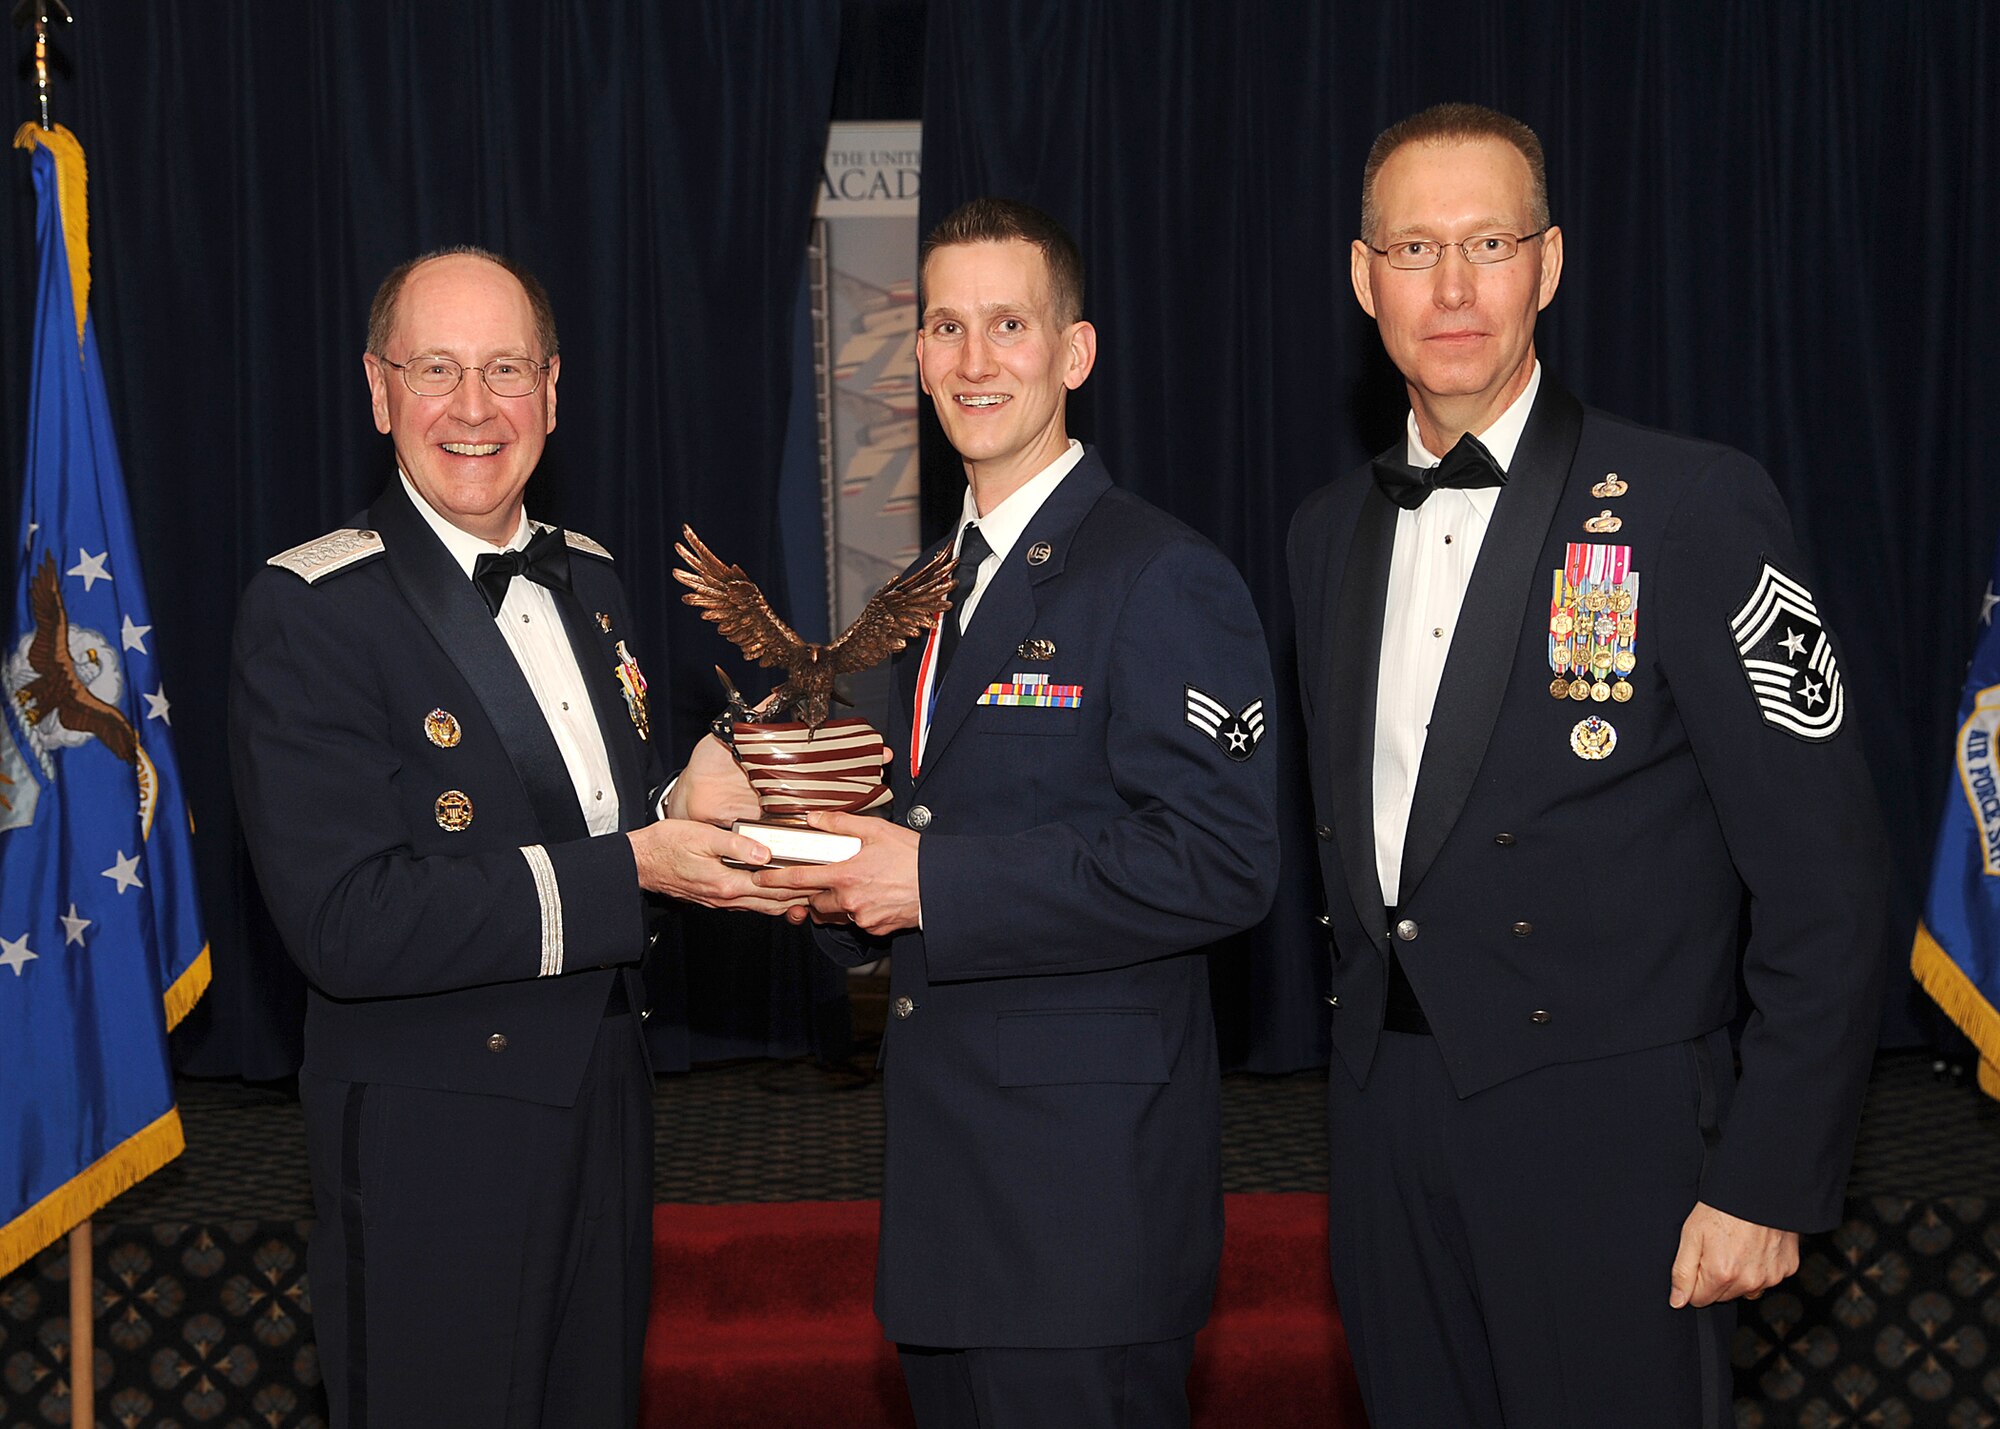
x: 1779, y: 235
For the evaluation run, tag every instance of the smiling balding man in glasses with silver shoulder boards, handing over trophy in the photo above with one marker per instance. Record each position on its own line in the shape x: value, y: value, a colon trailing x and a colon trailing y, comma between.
x: 451, y: 790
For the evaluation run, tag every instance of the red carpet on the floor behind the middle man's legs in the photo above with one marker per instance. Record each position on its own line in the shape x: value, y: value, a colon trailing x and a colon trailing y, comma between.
x: 761, y: 1318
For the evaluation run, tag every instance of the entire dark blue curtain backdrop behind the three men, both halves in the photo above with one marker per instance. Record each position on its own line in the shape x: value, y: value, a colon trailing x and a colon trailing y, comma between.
x: 1779, y: 235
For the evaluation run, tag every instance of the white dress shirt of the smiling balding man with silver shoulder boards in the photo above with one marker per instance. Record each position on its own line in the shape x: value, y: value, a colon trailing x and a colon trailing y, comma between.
x: 533, y: 631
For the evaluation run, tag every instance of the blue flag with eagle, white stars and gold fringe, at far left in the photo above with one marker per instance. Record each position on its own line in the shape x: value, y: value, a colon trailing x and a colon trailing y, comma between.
x: 101, y: 940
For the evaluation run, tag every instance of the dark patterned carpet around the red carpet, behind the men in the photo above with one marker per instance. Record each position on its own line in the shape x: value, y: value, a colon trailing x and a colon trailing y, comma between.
x: 205, y: 1318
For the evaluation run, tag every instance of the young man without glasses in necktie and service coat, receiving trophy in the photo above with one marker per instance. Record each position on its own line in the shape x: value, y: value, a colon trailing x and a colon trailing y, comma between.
x: 1081, y: 808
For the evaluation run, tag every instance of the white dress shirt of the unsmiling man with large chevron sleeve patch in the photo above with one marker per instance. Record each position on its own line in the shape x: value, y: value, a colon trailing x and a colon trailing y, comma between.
x: 1437, y: 547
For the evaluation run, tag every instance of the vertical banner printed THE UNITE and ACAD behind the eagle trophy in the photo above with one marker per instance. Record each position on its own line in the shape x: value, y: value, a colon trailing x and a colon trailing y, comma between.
x: 865, y: 361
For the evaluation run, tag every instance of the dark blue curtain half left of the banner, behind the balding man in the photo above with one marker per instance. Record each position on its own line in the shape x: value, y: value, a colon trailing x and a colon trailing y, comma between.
x: 255, y: 169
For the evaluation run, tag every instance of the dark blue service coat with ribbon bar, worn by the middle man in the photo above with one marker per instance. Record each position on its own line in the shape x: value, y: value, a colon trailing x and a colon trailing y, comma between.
x: 1051, y: 1064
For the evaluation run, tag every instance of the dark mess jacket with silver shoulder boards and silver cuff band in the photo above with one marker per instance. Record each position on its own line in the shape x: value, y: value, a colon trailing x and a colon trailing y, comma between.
x: 425, y: 942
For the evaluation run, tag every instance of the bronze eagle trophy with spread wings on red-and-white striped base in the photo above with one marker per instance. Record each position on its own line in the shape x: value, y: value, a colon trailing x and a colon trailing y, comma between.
x: 807, y: 764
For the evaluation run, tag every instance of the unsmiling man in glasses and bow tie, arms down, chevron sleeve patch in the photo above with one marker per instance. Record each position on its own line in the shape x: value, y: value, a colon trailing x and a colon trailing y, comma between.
x: 1583, y: 760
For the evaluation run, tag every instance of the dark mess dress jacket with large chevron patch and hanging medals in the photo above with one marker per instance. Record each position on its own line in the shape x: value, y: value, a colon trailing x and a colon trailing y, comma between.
x: 1559, y: 908
